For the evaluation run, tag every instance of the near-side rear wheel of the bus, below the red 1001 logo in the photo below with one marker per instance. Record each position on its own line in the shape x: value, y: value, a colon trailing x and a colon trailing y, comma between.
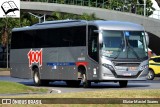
x: 36, y: 79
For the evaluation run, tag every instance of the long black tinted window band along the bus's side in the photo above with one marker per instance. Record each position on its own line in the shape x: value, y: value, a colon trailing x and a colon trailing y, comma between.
x: 59, y: 37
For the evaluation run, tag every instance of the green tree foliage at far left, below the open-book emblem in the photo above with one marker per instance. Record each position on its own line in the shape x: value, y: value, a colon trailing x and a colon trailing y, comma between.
x: 7, y: 24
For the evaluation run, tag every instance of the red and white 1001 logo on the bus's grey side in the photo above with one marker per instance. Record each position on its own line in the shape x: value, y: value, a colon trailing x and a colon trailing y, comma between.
x: 35, y: 57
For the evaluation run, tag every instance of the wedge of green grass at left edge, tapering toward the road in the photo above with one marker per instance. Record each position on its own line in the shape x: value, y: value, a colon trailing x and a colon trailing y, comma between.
x: 13, y: 88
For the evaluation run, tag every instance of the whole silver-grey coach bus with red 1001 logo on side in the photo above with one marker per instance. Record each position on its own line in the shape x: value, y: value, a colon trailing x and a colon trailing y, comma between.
x: 78, y: 50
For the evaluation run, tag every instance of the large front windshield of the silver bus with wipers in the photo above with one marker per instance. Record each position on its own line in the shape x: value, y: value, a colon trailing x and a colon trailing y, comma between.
x: 123, y: 44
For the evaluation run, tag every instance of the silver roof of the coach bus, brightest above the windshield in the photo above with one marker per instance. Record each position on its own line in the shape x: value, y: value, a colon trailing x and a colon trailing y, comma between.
x: 101, y: 24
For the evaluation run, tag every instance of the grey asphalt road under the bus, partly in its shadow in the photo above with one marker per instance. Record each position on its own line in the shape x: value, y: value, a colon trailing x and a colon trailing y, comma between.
x: 61, y: 87
